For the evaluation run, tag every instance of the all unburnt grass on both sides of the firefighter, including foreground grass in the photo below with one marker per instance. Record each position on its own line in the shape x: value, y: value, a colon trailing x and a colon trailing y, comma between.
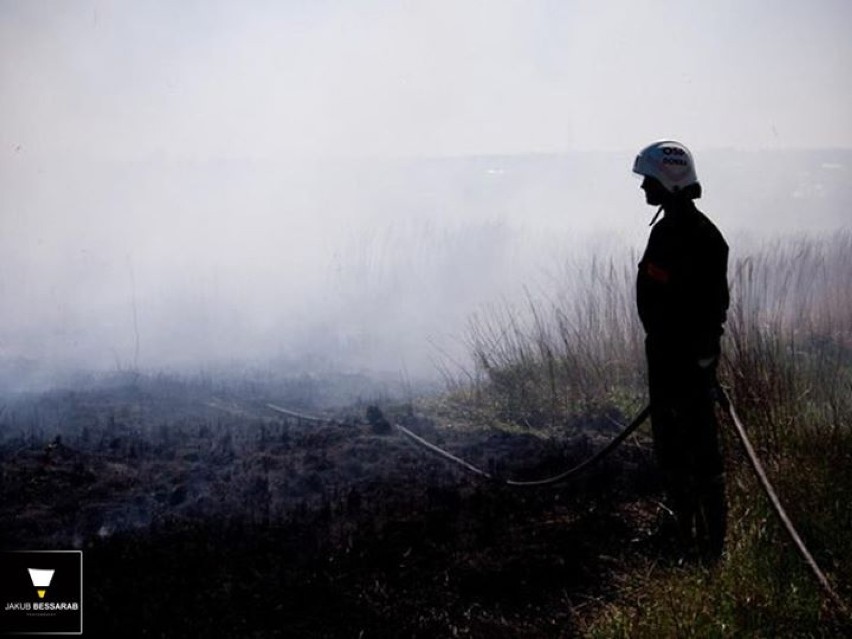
x: 788, y: 365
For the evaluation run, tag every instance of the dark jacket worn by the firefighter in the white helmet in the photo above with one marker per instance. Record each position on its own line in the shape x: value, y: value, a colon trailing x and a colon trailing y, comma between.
x: 682, y: 287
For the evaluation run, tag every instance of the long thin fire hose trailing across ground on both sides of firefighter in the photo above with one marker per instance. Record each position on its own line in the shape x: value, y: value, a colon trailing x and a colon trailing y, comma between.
x: 726, y: 404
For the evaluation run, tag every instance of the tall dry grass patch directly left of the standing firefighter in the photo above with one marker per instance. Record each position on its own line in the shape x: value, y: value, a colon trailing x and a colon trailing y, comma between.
x: 578, y: 351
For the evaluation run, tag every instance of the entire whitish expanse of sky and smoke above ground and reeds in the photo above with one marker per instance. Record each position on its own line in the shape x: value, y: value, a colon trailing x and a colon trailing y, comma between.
x: 166, y: 194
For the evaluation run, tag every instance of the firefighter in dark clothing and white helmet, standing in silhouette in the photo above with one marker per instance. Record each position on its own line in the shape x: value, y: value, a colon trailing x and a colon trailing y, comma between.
x: 682, y: 299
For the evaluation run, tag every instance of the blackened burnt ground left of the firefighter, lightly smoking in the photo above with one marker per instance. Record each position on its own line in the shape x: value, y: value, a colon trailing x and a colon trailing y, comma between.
x: 203, y: 513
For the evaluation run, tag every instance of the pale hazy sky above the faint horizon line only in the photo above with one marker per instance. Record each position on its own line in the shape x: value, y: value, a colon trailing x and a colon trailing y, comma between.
x: 254, y: 78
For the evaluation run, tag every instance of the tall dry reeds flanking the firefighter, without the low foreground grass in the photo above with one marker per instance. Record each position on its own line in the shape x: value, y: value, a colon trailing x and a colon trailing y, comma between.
x: 787, y: 349
